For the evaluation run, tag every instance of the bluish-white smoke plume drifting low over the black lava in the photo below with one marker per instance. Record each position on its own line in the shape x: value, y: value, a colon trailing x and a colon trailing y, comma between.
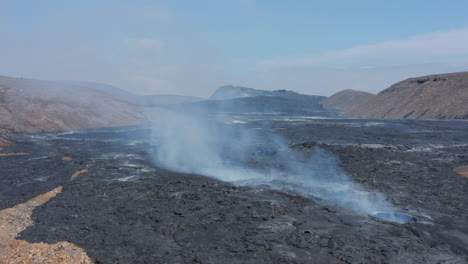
x: 211, y: 145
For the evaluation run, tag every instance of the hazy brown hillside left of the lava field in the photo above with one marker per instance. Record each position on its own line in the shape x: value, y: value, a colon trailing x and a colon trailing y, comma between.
x: 28, y: 105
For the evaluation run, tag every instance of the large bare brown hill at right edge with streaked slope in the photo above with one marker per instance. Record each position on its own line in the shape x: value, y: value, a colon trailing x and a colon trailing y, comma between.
x: 443, y: 96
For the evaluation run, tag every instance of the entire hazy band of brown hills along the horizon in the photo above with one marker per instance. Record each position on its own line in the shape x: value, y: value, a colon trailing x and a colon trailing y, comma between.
x: 28, y: 105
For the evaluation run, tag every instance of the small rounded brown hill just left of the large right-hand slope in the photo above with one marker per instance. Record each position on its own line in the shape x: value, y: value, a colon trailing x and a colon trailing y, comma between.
x: 346, y: 99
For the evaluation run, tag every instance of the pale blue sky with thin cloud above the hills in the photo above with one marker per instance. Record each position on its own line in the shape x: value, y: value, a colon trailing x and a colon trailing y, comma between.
x: 192, y: 47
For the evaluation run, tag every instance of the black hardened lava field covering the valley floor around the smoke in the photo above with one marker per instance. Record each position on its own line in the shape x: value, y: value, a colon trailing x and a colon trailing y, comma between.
x: 122, y: 208
